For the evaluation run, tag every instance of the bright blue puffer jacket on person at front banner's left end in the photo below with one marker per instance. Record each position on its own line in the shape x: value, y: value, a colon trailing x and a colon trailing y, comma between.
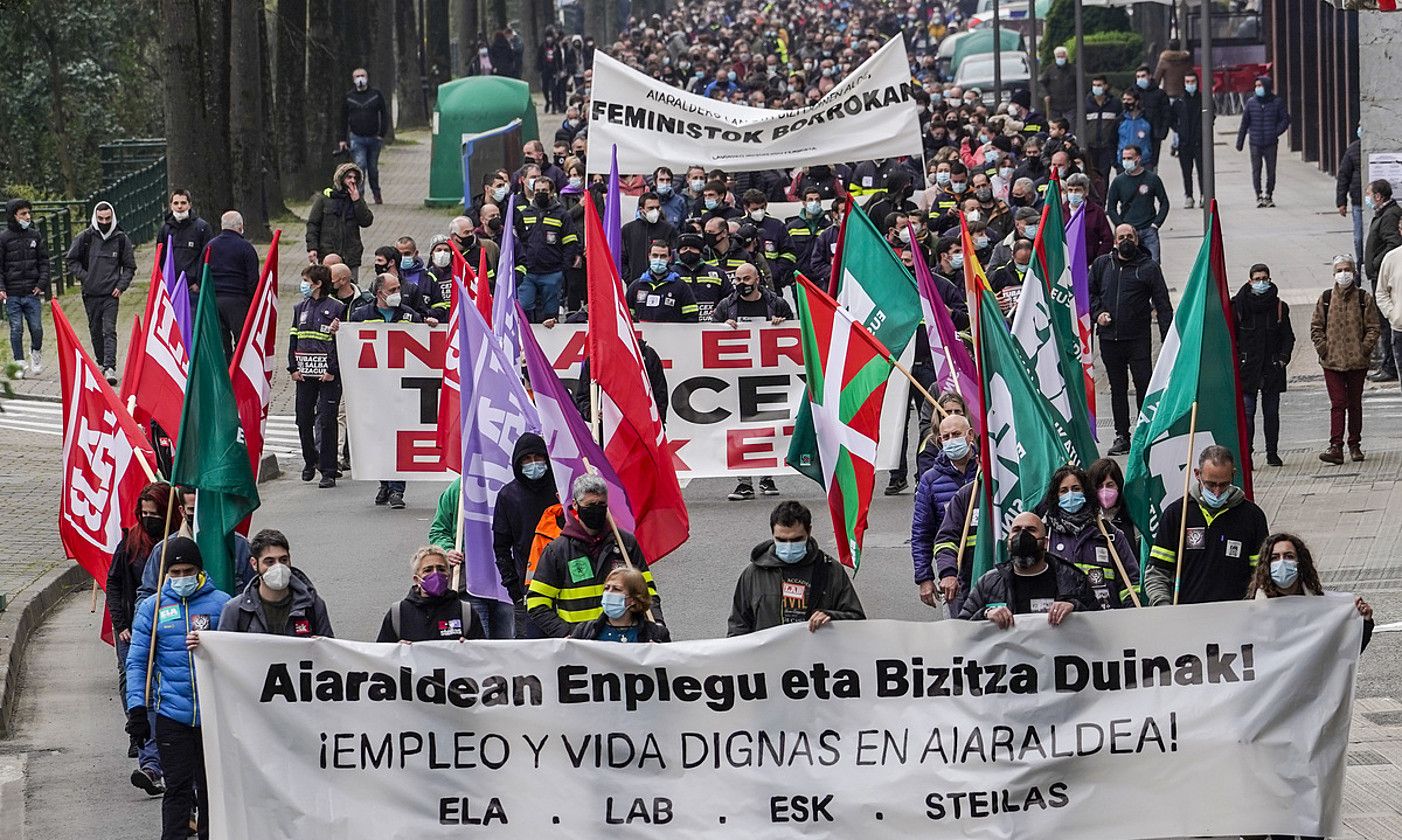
x: 173, y: 678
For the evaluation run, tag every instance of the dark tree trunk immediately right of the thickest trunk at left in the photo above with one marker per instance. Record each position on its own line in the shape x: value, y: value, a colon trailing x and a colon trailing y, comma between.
x: 246, y: 145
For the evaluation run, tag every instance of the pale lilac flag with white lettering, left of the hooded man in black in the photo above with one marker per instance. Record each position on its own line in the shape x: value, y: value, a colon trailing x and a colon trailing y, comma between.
x: 496, y: 412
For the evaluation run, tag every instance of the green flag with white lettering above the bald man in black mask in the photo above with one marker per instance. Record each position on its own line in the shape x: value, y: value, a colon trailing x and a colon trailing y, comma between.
x: 1026, y: 442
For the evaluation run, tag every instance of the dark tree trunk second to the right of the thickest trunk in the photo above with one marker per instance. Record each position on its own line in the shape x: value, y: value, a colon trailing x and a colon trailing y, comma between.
x: 291, y: 96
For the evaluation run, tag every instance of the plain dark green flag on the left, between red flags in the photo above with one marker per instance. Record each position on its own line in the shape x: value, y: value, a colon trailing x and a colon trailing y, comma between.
x: 211, y: 455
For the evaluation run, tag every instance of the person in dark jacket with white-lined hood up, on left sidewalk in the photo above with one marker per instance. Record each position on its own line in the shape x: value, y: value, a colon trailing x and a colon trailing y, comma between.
x: 104, y: 262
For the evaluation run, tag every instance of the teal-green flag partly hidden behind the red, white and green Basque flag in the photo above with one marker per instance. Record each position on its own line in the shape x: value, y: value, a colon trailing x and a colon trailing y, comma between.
x: 881, y: 294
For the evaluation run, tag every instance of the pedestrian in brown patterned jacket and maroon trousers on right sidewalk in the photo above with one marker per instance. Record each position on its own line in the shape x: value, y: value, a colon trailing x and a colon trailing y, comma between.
x: 1344, y: 330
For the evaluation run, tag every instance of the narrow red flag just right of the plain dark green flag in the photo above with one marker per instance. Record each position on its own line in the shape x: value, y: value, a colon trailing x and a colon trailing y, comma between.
x: 253, y: 364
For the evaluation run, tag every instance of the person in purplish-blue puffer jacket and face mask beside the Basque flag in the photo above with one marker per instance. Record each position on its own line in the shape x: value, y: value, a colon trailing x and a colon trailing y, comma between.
x: 954, y: 468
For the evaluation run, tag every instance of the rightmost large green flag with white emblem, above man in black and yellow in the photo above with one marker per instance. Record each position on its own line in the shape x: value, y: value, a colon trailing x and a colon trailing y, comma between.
x: 1197, y: 365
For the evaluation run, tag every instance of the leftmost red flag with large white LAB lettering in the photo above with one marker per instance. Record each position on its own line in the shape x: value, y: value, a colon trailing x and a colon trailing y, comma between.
x: 106, y: 461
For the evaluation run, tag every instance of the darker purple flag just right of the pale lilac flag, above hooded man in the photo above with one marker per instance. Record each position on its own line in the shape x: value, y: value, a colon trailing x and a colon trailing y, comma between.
x: 573, y: 451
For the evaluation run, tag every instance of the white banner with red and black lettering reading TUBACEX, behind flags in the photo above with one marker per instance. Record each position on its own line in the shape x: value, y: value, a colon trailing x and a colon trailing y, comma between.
x: 733, y: 395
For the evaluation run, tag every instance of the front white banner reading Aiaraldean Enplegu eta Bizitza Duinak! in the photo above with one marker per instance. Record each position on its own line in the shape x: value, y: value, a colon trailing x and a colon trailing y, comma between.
x: 1201, y: 720
